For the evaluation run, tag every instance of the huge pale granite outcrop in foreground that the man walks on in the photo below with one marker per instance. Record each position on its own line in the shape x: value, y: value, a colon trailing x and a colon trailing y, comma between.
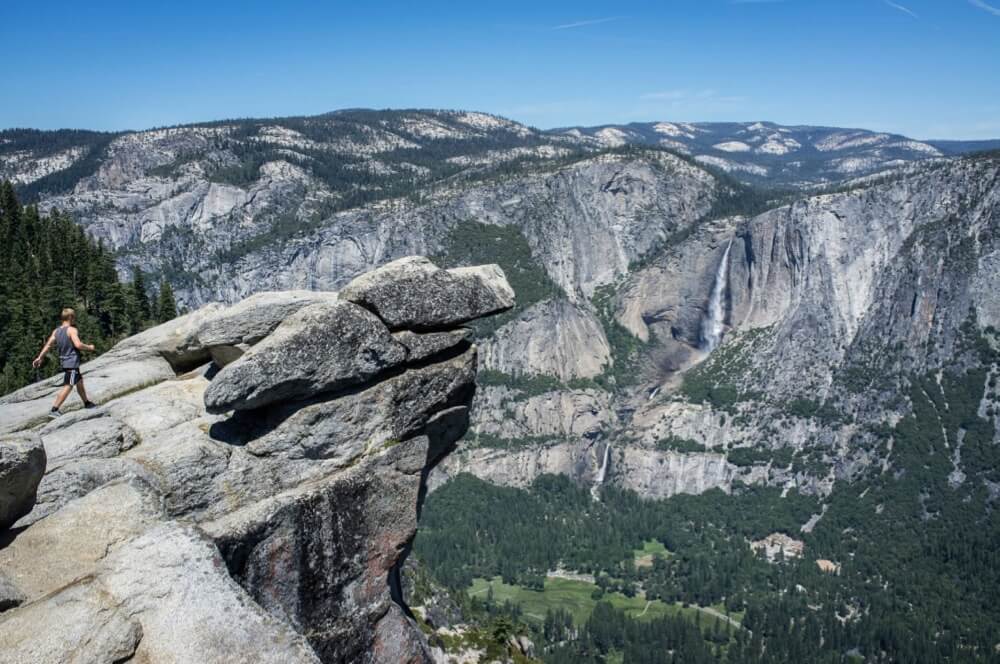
x: 174, y: 526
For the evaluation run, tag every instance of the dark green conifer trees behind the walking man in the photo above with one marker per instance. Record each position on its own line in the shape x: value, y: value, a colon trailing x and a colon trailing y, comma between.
x: 47, y: 263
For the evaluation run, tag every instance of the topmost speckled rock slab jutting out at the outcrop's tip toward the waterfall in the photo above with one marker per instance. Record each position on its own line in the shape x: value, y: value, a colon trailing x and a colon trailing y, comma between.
x: 414, y: 293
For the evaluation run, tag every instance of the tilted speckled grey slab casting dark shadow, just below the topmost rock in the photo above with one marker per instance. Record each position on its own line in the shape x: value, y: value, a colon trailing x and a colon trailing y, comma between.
x: 320, y: 348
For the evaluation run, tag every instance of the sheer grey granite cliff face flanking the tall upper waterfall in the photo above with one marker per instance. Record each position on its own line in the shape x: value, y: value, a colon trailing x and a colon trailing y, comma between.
x: 833, y: 275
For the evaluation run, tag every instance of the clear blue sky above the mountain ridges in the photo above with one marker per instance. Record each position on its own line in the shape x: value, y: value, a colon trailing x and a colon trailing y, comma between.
x: 926, y: 68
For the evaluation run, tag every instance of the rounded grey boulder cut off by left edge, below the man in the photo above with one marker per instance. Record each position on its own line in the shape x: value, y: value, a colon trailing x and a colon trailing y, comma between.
x: 22, y: 463
